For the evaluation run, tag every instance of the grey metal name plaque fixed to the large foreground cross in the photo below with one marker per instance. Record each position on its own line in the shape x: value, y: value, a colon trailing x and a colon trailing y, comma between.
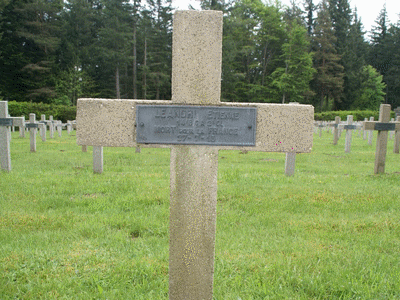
x: 196, y: 125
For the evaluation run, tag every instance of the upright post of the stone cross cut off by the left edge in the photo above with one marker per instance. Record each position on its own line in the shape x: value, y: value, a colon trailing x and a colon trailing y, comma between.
x: 5, y: 138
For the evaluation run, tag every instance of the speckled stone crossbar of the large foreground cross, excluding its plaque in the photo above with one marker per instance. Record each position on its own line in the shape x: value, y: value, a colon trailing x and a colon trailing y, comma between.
x: 111, y: 123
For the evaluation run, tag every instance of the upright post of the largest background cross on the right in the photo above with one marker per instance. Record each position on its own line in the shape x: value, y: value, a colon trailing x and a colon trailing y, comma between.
x: 381, y: 141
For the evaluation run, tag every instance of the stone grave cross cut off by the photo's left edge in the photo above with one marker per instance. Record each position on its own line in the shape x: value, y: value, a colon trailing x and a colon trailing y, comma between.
x: 5, y: 135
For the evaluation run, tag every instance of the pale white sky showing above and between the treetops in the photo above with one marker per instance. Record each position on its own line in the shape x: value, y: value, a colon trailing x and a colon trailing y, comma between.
x: 368, y: 10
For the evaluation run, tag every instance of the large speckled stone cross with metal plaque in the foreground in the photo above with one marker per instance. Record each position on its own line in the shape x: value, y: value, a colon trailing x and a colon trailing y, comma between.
x: 195, y: 125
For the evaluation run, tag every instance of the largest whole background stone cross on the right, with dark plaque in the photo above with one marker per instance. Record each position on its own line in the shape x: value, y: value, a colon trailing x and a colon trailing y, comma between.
x: 383, y: 126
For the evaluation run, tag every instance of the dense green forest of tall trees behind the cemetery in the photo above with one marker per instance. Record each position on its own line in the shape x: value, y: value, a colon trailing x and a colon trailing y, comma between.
x: 55, y: 51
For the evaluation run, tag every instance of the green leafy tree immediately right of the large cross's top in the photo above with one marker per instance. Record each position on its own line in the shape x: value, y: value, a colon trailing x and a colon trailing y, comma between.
x: 252, y: 48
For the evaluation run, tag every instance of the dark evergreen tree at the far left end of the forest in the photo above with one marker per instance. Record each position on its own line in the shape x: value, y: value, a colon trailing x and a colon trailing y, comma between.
x: 28, y: 48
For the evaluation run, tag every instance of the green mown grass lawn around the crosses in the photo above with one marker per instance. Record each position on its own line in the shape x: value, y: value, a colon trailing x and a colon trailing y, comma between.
x: 332, y: 231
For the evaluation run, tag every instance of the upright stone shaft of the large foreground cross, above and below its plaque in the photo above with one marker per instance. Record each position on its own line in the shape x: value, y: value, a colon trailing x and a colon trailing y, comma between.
x: 196, y: 79
